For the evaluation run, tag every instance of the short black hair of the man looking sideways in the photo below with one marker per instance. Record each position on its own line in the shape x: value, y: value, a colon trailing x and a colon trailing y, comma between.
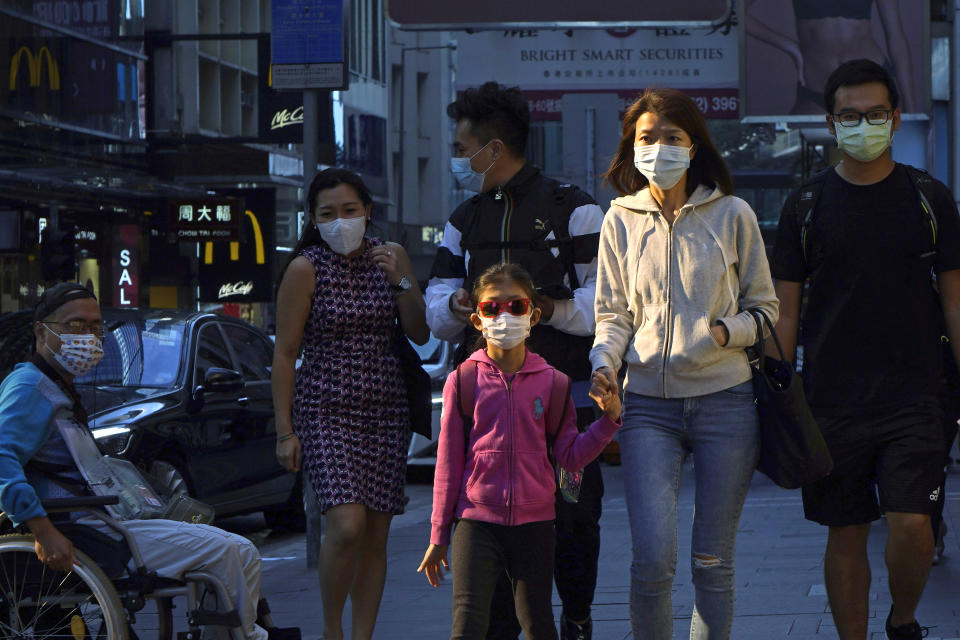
x: 495, y: 111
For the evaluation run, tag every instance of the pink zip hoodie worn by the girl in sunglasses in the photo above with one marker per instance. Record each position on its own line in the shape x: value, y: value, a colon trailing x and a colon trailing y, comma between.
x: 506, y: 477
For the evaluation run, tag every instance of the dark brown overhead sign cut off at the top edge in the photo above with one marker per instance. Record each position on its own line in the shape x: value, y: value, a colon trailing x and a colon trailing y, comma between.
x: 494, y: 14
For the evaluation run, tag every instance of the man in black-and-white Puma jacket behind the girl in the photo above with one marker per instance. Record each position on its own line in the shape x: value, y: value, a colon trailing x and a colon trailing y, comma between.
x: 553, y: 231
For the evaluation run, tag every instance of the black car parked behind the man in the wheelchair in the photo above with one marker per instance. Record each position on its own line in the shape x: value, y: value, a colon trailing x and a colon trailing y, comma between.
x: 186, y: 397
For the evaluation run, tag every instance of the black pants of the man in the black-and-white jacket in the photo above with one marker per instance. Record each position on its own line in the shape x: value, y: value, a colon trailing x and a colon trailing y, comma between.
x: 577, y: 554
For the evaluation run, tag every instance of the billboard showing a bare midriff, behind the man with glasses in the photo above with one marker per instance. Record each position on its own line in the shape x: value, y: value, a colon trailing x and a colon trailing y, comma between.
x: 792, y: 46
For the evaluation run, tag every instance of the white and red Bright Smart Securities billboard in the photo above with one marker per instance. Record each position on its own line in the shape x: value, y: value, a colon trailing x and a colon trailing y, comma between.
x: 548, y: 64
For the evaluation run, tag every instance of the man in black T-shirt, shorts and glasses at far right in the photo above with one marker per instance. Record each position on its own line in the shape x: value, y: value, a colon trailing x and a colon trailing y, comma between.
x: 879, y: 244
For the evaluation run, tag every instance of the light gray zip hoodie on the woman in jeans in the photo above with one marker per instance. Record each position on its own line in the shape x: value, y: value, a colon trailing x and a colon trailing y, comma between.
x: 660, y: 287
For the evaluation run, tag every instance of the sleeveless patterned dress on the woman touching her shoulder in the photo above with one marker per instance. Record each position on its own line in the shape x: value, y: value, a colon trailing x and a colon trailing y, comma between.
x: 350, y: 406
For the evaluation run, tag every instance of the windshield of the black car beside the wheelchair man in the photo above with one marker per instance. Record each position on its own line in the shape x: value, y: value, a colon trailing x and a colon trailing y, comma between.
x: 138, y: 352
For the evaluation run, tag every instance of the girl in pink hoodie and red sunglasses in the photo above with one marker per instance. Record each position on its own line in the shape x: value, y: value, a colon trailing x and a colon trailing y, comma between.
x: 499, y: 484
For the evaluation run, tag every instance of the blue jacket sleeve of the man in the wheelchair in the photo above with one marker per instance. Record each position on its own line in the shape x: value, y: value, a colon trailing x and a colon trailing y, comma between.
x: 26, y: 416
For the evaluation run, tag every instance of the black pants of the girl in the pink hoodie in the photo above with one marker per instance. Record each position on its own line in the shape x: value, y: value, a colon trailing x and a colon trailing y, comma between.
x: 481, y: 554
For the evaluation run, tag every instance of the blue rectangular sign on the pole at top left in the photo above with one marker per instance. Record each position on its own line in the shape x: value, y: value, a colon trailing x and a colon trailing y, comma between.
x: 308, y: 45
